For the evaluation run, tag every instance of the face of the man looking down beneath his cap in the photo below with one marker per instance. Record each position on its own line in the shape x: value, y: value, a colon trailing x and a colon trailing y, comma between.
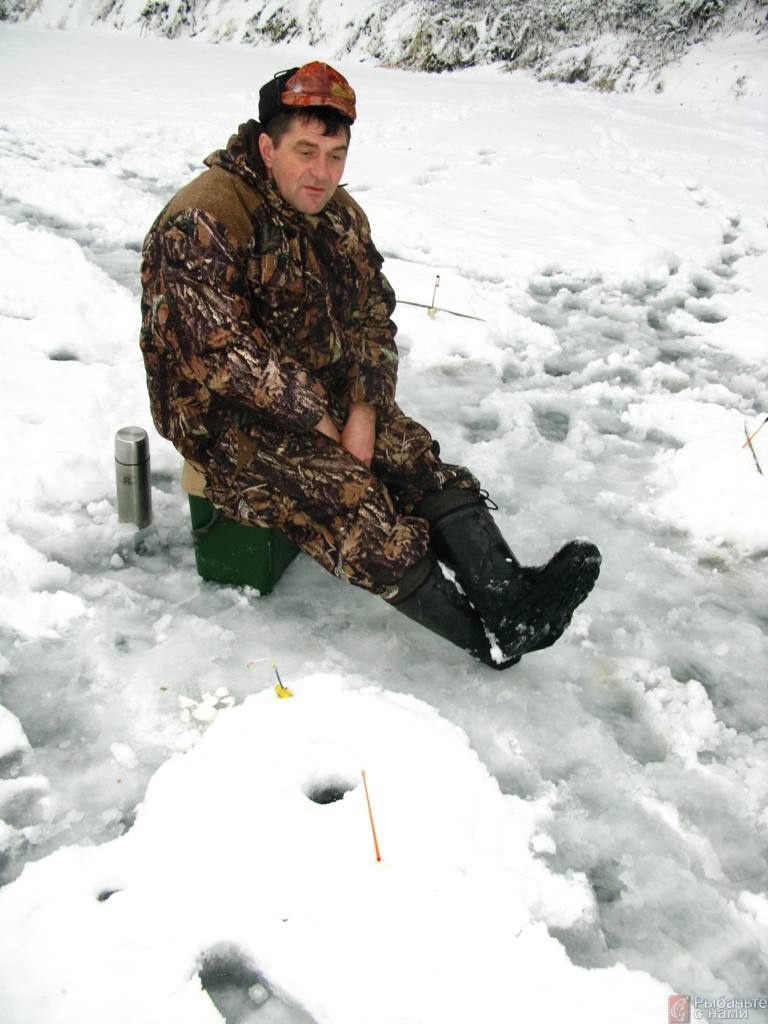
x: 307, y: 166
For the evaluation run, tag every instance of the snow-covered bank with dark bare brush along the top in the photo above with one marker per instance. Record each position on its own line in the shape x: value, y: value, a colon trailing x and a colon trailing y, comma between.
x: 612, y: 46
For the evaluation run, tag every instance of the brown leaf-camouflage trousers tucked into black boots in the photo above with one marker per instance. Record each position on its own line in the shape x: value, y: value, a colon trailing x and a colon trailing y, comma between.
x: 355, y: 522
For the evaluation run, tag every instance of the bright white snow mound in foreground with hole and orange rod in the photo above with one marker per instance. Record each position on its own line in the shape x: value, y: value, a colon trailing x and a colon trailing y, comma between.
x: 255, y: 849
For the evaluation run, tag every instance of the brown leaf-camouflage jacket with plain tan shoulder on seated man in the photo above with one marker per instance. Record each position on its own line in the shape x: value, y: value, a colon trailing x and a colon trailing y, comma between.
x: 253, y: 310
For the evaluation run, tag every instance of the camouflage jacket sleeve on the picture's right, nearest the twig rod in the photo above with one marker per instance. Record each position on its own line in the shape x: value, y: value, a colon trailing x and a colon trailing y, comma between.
x: 373, y: 370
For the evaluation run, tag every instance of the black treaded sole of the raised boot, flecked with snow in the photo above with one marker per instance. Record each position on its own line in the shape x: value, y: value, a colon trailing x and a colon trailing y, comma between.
x: 541, y: 618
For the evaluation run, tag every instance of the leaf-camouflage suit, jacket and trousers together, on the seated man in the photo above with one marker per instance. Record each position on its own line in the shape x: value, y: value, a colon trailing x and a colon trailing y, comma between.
x: 258, y: 320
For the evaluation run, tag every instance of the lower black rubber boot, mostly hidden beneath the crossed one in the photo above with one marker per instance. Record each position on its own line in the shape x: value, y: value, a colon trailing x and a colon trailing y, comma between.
x: 426, y: 596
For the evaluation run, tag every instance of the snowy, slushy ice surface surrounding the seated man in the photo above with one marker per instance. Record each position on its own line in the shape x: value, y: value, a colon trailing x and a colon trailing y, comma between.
x: 606, y: 824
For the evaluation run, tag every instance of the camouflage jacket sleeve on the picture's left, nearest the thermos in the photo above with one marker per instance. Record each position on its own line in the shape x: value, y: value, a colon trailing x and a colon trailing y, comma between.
x: 204, y: 314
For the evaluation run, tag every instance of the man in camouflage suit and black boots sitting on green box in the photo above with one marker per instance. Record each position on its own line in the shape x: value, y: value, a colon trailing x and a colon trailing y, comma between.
x: 272, y: 366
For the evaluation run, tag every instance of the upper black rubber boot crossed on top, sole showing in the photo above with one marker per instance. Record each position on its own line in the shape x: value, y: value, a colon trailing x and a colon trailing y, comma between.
x: 525, y: 609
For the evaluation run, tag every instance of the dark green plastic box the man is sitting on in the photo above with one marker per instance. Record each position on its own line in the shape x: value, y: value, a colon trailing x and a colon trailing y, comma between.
x: 232, y: 552
